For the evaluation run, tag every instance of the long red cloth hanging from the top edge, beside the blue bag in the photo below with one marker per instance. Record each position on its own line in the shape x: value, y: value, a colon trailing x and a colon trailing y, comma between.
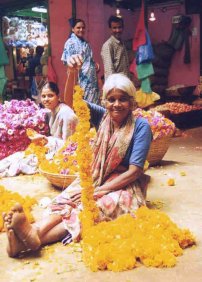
x: 140, y: 33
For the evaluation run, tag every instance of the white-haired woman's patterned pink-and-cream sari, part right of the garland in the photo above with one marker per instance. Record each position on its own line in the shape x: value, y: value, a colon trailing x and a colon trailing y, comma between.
x: 109, y: 152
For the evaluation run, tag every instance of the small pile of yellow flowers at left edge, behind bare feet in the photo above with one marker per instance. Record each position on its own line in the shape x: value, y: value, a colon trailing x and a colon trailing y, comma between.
x: 8, y: 199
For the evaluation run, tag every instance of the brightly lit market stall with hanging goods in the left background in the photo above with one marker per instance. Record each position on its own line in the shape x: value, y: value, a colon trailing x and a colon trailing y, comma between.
x: 21, y: 36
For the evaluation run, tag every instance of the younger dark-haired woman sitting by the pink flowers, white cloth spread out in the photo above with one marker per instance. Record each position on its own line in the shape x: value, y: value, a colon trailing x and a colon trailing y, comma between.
x: 62, y: 122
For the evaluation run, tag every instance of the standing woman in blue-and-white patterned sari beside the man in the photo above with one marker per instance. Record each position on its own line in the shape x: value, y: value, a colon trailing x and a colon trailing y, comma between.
x: 77, y: 45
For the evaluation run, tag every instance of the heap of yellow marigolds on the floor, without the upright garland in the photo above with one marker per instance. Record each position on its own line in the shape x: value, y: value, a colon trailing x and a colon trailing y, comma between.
x: 150, y: 238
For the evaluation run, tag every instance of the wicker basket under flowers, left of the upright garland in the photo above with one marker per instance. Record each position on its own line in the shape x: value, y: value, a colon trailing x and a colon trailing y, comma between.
x: 59, y: 180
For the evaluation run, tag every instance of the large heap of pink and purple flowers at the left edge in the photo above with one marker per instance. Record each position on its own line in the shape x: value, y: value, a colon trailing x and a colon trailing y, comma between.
x: 15, y: 117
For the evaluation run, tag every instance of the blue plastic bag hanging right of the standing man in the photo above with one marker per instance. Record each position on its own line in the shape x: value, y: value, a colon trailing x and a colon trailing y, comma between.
x: 145, y: 52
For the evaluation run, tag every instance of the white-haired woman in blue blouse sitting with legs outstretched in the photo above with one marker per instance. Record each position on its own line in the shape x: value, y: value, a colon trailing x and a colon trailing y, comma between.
x: 120, y: 151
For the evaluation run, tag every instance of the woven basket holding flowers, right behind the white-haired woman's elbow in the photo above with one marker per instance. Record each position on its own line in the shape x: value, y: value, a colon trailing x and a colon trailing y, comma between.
x: 158, y: 149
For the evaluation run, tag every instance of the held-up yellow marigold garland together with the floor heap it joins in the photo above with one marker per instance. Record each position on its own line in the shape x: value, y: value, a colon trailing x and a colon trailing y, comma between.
x: 149, y: 237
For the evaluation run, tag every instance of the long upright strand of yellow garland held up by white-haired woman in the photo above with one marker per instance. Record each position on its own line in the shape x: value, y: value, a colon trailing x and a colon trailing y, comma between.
x: 84, y: 158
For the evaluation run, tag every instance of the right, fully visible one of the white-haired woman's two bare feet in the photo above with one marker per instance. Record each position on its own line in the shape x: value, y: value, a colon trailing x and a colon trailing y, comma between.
x: 18, y: 222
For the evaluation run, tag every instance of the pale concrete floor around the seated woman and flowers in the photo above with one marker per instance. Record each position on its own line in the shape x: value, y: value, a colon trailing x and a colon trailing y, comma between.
x: 181, y: 202
